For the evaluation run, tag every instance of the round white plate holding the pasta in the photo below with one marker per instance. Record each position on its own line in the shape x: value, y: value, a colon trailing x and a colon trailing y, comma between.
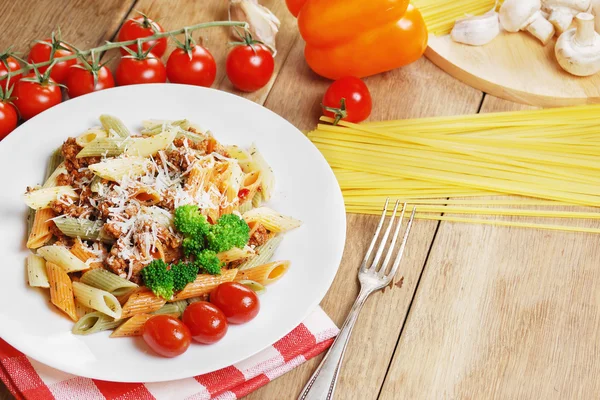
x: 306, y: 189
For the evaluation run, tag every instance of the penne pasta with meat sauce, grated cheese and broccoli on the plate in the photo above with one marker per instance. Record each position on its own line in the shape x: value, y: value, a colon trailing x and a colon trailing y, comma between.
x: 130, y: 225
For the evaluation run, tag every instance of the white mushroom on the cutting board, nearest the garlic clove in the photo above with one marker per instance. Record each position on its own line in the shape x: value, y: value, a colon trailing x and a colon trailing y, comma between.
x: 517, y: 15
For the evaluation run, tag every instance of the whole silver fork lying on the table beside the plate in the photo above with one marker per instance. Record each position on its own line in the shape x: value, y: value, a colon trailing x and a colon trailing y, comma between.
x: 321, y: 385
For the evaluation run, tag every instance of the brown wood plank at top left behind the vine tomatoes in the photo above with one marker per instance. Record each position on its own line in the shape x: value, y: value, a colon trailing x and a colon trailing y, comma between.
x: 86, y: 24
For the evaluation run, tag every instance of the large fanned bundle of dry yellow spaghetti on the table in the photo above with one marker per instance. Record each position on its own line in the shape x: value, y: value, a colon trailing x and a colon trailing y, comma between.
x: 548, y: 158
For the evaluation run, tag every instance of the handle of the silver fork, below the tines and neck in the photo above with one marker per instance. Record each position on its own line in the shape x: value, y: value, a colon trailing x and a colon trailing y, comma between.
x: 322, y: 383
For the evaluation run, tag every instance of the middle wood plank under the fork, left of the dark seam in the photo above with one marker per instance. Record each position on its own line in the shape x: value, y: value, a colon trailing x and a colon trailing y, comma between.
x: 418, y: 90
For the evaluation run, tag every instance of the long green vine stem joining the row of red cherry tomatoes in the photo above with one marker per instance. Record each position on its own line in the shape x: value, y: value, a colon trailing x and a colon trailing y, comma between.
x: 114, y: 45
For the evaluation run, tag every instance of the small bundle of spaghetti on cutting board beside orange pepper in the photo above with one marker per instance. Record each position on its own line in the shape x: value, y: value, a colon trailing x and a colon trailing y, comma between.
x: 440, y: 15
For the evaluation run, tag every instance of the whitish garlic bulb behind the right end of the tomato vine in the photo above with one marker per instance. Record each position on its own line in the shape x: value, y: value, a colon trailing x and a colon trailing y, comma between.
x: 263, y: 24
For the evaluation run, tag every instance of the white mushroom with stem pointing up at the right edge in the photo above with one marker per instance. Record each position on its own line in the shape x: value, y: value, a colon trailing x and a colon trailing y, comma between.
x: 578, y: 50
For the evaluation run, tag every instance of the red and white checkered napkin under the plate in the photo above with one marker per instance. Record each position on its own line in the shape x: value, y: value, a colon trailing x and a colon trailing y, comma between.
x: 28, y: 379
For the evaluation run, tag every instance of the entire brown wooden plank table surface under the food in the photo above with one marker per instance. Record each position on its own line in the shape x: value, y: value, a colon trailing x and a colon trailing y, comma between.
x: 484, y: 312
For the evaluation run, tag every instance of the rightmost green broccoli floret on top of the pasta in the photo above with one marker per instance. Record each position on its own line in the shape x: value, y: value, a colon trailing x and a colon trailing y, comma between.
x: 229, y: 231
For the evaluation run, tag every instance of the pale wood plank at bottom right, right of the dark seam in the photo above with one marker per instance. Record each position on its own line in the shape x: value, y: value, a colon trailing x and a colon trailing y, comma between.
x: 503, y: 313
